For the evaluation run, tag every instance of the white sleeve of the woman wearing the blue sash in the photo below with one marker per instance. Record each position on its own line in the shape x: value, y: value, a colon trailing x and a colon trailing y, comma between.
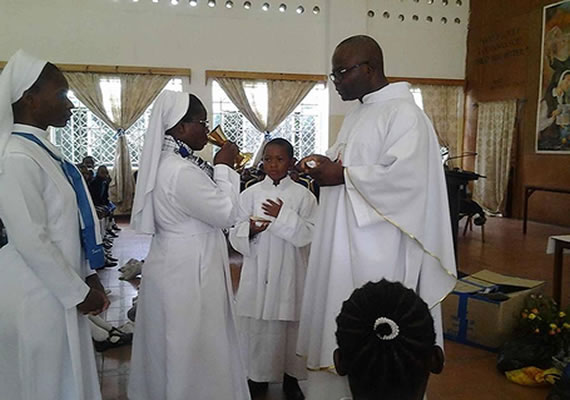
x: 25, y: 217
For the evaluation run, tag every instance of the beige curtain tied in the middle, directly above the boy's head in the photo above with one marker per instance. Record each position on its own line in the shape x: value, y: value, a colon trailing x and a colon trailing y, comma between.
x: 282, y: 99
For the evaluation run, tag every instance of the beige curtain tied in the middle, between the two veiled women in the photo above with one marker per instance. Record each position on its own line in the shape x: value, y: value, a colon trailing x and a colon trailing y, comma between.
x: 118, y: 109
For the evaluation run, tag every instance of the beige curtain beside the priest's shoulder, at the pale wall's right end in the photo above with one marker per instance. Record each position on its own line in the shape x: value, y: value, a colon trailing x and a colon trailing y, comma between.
x: 444, y: 105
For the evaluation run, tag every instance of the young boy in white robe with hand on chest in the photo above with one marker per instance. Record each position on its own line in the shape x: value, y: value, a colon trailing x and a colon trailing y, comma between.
x: 274, y: 235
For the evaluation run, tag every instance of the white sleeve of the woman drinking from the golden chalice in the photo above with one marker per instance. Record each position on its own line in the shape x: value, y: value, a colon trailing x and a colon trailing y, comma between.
x: 213, y: 203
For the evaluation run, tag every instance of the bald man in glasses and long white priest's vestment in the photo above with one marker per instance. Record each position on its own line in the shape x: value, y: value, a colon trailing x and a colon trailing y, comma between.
x: 383, y: 211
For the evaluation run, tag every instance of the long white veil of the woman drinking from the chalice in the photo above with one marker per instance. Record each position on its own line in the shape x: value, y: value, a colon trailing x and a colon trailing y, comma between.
x: 167, y: 111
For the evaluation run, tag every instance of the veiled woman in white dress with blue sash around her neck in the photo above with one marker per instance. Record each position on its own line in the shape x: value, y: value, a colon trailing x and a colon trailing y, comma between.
x: 46, y: 352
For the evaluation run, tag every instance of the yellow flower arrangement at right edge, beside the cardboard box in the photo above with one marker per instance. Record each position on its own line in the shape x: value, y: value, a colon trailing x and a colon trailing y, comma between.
x: 543, y: 321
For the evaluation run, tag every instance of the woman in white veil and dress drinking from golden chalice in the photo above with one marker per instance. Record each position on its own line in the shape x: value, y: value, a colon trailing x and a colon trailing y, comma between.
x: 185, y: 345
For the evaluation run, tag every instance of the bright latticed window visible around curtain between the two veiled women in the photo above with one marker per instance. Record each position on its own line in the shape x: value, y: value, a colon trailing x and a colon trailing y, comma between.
x: 86, y: 134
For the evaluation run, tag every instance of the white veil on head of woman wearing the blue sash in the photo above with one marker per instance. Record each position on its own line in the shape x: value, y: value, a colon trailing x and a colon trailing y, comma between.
x: 21, y: 72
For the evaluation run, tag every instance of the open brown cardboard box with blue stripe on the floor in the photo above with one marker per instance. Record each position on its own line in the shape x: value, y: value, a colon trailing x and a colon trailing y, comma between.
x: 484, y: 308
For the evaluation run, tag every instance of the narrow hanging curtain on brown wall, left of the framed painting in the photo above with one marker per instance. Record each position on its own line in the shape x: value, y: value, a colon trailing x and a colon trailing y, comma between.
x: 495, y: 130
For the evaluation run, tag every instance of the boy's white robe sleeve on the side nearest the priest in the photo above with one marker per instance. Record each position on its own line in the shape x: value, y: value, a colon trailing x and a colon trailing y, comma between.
x: 296, y: 228
